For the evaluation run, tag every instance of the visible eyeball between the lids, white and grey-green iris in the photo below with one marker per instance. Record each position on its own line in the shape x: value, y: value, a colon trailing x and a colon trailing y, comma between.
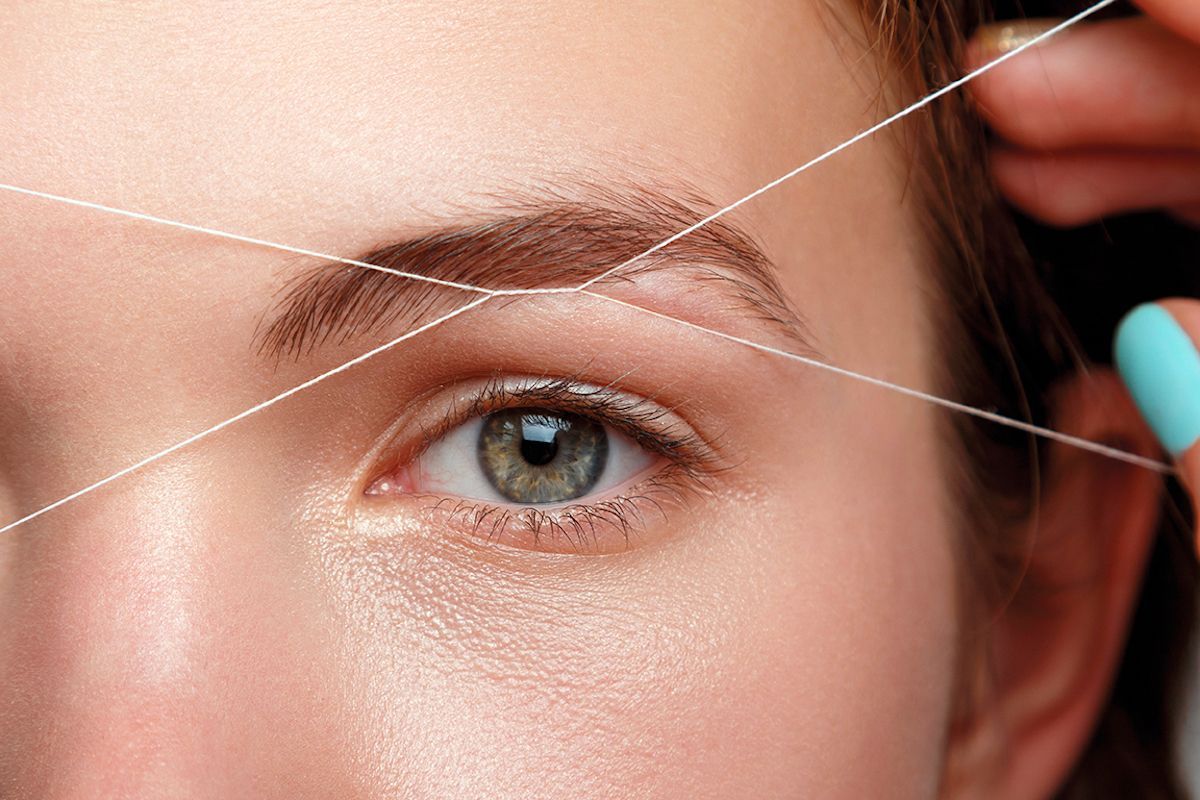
x: 531, y: 456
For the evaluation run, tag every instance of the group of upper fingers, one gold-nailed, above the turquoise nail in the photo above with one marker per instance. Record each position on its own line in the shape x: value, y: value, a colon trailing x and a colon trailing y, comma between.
x: 1102, y: 119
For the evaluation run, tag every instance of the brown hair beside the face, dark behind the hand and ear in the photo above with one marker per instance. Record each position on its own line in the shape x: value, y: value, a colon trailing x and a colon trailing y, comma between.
x: 1024, y: 308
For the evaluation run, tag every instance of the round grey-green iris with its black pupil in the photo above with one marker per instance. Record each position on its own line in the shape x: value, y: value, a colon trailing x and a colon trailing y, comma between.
x: 539, y: 456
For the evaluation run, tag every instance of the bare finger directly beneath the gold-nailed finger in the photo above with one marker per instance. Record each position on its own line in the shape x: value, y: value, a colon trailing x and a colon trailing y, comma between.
x: 1070, y: 189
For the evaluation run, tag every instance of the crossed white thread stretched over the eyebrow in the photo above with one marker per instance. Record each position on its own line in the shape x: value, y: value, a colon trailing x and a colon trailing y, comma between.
x: 1113, y: 453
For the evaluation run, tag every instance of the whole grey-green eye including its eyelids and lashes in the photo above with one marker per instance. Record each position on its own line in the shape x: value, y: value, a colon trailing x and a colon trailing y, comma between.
x: 554, y: 465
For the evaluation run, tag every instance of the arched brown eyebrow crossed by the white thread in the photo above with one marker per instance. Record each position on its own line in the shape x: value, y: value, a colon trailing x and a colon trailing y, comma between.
x: 538, y: 243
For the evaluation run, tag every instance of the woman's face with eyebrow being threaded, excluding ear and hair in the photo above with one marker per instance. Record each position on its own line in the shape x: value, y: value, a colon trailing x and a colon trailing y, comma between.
x: 751, y: 592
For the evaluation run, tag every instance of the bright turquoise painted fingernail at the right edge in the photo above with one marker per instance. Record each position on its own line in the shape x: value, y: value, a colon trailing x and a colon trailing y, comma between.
x: 1162, y: 369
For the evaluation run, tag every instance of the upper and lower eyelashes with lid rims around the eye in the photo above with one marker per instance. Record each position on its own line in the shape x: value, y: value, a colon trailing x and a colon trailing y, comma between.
x: 692, y: 464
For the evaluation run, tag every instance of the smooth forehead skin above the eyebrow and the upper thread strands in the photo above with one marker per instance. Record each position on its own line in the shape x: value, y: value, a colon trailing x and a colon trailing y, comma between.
x: 365, y: 115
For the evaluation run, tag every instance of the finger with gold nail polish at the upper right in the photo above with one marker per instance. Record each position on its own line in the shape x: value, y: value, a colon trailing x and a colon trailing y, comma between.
x: 1119, y: 83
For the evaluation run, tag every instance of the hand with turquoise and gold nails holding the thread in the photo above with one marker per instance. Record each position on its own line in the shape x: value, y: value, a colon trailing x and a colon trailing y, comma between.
x: 1101, y: 121
